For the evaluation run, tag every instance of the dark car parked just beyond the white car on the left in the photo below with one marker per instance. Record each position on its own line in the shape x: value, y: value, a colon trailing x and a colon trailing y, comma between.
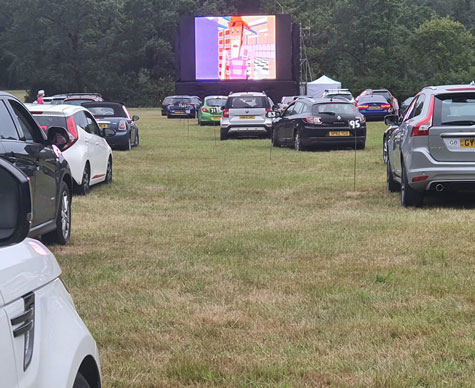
x: 121, y: 129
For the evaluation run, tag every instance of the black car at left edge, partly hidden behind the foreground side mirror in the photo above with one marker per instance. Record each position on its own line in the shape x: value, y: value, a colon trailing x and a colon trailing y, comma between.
x: 24, y: 144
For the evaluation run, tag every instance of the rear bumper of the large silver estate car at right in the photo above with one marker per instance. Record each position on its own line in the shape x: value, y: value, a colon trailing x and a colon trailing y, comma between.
x: 429, y: 173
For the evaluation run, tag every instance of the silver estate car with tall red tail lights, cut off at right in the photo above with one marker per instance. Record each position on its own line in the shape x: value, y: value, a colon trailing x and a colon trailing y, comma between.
x: 433, y: 146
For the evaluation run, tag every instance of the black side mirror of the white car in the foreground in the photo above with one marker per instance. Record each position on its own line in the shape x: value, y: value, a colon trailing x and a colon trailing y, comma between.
x: 15, y: 204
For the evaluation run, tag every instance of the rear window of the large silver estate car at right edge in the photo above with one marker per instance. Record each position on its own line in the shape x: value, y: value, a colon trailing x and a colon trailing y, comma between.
x: 454, y: 109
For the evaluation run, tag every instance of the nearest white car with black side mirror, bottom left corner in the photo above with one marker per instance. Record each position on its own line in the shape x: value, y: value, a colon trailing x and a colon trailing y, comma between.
x: 43, y: 341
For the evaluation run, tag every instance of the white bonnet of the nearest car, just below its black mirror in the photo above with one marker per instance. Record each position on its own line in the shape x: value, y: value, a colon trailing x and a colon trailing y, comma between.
x: 25, y: 267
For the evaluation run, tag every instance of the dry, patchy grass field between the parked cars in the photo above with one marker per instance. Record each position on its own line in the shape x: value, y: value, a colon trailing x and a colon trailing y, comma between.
x: 225, y: 265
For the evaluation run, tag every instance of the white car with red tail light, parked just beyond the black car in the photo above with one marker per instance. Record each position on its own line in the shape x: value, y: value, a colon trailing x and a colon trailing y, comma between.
x: 87, y: 152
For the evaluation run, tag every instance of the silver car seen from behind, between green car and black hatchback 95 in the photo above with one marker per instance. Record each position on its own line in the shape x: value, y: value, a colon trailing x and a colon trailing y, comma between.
x: 245, y: 114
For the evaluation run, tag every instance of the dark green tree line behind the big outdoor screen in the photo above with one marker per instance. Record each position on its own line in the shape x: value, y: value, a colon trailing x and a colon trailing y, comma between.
x: 125, y: 48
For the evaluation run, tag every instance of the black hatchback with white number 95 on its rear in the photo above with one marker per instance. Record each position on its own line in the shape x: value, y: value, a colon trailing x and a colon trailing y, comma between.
x: 312, y: 122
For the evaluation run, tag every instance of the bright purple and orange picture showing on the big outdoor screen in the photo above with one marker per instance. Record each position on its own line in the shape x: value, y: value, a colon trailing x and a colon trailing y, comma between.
x: 235, y: 48
